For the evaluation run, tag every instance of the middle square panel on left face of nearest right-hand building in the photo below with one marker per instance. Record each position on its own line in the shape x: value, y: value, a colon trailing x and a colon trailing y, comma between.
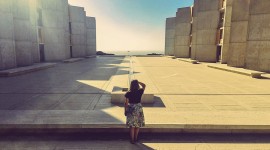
x: 239, y: 32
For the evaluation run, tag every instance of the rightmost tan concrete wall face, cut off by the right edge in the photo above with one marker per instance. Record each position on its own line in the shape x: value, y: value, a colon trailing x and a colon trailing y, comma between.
x: 258, y: 47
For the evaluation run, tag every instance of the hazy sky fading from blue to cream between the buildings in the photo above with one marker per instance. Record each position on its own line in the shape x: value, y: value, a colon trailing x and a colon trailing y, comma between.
x: 131, y: 24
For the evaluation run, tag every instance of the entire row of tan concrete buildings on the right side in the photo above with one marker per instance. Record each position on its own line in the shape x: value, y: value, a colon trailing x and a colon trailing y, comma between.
x: 232, y: 32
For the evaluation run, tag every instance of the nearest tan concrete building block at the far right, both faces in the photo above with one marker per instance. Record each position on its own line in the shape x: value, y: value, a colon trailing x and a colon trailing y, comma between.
x: 250, y: 48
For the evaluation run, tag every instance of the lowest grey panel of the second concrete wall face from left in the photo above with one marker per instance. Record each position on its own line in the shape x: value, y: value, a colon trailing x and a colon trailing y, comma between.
x: 23, y: 53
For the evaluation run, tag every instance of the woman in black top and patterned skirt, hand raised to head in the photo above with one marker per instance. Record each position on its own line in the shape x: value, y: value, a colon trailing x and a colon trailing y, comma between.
x: 135, y: 119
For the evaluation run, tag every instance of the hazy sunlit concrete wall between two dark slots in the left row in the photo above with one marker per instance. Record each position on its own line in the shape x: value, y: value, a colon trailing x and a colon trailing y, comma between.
x: 55, y: 29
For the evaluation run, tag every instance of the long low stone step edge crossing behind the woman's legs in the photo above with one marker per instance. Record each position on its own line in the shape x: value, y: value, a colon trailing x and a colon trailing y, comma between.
x: 151, y: 128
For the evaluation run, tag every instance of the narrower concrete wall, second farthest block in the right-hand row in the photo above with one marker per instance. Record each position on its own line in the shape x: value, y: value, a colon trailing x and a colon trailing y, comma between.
x: 182, y: 32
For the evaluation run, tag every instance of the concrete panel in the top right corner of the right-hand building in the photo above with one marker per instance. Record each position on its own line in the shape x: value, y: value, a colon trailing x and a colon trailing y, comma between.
x: 259, y: 7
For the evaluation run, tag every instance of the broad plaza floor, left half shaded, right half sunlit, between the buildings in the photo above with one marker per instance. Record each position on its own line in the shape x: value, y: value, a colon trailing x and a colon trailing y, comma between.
x: 188, y: 97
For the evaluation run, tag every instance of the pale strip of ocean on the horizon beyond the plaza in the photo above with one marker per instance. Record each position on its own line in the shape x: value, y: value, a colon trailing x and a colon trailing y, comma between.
x: 130, y: 52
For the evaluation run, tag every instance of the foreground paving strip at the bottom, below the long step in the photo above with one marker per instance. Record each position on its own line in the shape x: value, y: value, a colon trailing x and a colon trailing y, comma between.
x: 147, y: 142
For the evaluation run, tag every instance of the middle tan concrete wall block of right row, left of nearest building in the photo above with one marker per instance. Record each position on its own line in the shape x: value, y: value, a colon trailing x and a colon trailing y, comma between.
x: 207, y: 20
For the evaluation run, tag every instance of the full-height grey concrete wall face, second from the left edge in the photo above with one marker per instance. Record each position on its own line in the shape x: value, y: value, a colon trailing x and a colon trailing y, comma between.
x: 22, y: 32
